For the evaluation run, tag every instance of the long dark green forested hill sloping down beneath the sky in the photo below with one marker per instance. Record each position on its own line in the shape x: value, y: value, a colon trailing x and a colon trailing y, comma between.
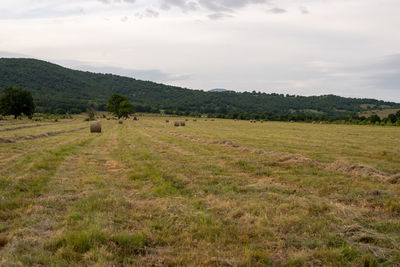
x: 58, y: 89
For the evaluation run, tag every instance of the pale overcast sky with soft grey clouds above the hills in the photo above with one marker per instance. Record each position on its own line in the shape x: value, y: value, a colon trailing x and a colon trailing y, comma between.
x: 304, y: 47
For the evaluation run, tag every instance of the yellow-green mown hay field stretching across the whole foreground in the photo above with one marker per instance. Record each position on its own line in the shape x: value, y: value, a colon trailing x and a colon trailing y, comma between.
x: 212, y: 193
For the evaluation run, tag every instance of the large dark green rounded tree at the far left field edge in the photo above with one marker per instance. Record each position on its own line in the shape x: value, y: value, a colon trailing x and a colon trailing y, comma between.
x: 16, y: 101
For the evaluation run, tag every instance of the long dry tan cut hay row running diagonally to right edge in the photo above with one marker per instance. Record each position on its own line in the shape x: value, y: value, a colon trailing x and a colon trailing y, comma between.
x: 284, y: 158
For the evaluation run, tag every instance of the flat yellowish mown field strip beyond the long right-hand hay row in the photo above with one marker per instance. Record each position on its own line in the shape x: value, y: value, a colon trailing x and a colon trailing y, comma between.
x: 374, y: 146
